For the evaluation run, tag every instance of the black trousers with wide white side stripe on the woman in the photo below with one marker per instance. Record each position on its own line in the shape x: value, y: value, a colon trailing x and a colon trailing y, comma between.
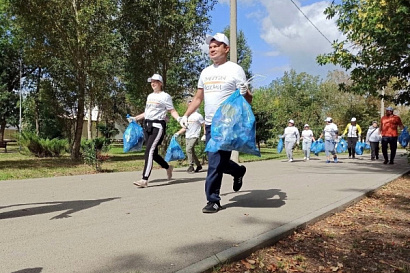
x: 153, y: 138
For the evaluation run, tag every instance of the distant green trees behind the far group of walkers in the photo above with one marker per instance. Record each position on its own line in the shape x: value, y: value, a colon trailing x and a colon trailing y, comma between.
x: 306, y: 99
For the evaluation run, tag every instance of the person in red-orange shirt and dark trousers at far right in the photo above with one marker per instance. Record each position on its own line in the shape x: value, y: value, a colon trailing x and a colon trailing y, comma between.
x: 388, y: 128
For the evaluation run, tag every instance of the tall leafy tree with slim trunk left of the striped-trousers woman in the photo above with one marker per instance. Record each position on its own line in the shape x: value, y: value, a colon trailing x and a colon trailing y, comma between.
x: 76, y: 44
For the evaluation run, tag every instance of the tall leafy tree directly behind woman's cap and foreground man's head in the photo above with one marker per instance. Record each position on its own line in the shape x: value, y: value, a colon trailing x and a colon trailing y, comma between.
x: 160, y: 37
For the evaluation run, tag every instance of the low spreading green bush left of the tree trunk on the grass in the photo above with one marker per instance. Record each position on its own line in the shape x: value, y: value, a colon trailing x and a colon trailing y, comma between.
x: 41, y: 147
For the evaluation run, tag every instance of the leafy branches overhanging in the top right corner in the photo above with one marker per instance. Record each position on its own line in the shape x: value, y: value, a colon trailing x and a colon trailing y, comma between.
x: 376, y: 48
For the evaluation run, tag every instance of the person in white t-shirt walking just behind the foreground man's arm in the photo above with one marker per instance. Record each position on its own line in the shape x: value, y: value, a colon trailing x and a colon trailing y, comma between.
x: 192, y: 133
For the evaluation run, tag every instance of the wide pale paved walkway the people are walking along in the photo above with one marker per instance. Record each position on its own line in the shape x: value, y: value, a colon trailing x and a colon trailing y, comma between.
x: 102, y: 223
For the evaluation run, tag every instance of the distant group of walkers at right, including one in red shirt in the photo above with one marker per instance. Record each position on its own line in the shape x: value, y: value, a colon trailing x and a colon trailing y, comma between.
x: 387, y: 134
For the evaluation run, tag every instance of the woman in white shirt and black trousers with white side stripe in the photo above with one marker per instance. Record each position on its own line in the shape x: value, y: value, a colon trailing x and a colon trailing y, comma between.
x: 157, y: 106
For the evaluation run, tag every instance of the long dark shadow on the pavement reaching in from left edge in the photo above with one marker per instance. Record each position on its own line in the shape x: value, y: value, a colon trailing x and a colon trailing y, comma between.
x: 69, y: 207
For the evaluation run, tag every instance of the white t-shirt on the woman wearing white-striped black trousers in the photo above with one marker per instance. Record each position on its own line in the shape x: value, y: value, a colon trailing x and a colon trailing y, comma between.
x: 157, y: 105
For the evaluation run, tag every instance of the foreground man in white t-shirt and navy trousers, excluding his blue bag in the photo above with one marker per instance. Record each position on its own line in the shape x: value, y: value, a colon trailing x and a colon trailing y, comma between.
x: 216, y: 83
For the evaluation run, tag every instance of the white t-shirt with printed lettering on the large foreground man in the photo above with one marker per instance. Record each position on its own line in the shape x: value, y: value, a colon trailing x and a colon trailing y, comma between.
x: 219, y: 82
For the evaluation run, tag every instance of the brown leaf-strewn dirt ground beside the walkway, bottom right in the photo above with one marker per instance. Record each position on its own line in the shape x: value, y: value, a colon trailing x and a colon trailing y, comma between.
x: 371, y: 236
